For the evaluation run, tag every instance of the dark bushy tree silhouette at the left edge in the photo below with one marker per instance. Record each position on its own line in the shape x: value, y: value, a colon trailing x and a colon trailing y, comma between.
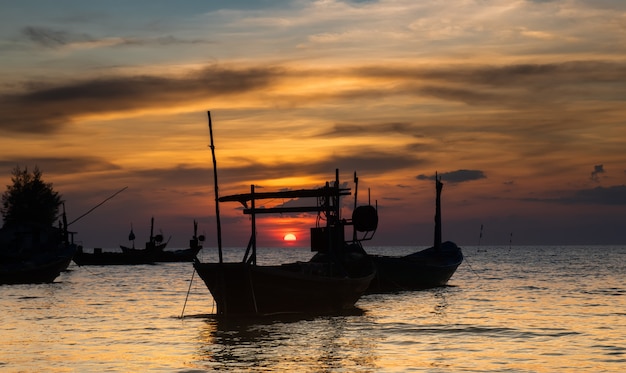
x: 29, y: 199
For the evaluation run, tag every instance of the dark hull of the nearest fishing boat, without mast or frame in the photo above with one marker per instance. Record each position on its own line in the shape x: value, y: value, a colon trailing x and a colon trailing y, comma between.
x: 245, y: 289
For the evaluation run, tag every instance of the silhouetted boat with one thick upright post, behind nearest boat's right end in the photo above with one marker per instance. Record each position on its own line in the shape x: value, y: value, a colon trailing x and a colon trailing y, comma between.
x: 428, y: 268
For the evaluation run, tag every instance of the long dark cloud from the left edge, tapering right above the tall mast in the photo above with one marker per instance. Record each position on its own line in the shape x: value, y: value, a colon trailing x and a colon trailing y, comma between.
x: 56, y: 105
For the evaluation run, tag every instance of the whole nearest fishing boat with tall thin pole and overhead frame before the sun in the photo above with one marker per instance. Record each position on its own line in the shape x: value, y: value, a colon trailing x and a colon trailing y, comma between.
x: 332, y: 281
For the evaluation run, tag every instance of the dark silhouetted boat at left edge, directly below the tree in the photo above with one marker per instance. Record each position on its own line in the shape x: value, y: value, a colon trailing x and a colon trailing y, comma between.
x: 31, y: 253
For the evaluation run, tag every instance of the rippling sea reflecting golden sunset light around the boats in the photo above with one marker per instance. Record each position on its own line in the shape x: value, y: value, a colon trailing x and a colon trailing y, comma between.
x: 506, y: 309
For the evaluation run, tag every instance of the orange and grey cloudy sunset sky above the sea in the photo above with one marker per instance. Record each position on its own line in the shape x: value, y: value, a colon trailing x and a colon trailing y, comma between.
x: 519, y: 106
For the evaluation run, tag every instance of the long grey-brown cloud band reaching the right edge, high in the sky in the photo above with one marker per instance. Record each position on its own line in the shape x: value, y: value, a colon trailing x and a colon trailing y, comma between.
x: 513, y: 85
